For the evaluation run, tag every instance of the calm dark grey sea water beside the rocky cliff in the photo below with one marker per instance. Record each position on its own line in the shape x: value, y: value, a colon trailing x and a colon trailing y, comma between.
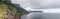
x: 42, y: 16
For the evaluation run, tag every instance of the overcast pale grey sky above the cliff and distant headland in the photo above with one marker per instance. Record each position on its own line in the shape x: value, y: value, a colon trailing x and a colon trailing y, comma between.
x: 39, y: 4
